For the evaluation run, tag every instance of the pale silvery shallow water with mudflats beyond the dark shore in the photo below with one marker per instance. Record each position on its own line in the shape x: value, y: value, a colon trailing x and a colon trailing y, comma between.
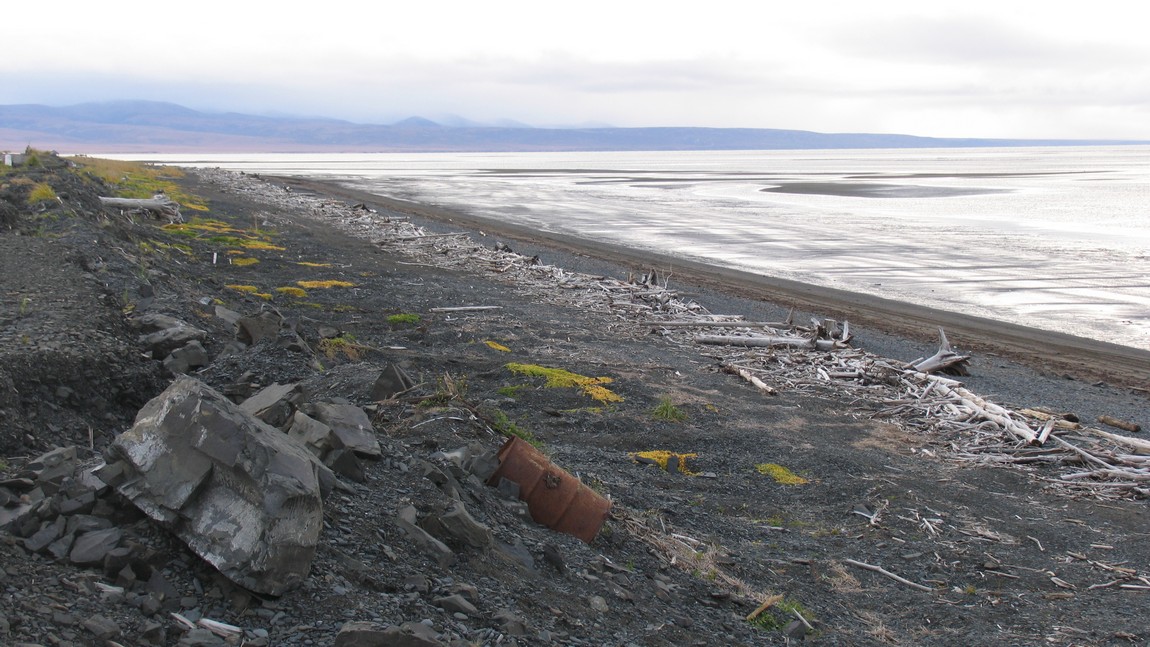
x: 1054, y: 238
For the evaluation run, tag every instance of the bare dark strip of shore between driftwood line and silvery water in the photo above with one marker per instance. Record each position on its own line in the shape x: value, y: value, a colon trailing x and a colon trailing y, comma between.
x: 1040, y: 350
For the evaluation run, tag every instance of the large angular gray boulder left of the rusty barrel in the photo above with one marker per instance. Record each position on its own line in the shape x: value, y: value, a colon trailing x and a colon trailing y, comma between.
x: 239, y: 492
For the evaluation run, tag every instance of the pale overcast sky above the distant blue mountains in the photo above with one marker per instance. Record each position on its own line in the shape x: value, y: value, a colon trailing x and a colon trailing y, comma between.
x: 975, y: 68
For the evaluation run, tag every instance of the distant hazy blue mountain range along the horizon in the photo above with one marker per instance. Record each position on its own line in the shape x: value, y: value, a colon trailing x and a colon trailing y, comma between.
x: 150, y: 127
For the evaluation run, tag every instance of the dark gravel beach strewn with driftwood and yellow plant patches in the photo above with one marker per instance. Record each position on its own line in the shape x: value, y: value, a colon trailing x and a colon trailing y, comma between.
x: 842, y: 491
